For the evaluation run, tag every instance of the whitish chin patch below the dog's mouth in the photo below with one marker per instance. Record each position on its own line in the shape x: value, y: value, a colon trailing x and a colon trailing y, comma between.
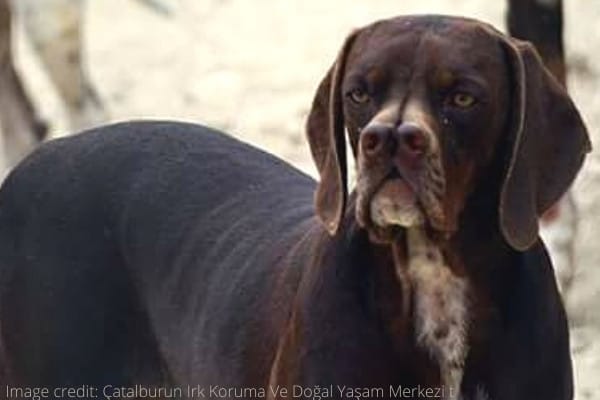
x: 395, y: 204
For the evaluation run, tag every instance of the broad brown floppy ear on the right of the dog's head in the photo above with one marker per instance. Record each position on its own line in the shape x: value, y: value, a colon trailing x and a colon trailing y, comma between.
x: 548, y: 145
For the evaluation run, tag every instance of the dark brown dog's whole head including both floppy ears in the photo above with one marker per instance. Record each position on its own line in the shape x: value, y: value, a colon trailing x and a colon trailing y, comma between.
x: 428, y: 102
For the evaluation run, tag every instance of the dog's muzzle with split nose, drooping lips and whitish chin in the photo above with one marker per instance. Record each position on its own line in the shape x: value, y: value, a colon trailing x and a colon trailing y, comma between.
x: 393, y: 185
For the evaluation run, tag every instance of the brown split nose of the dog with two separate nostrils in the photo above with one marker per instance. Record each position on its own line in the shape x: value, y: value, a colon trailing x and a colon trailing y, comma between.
x: 407, y: 139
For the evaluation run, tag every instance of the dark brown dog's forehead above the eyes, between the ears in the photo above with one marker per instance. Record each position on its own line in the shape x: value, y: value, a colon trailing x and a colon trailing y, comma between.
x: 410, y: 44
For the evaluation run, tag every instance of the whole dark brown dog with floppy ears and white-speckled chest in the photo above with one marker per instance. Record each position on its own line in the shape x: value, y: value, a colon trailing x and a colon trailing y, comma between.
x: 168, y: 256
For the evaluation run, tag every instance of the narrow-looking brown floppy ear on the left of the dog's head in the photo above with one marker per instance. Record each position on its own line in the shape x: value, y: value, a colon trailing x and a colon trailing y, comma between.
x: 326, y: 135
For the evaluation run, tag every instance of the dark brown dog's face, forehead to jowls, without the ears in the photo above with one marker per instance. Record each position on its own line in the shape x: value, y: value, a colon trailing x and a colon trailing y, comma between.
x: 417, y: 105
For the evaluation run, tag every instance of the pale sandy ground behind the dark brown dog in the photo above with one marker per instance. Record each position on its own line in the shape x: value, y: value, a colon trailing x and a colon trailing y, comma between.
x: 250, y: 67
